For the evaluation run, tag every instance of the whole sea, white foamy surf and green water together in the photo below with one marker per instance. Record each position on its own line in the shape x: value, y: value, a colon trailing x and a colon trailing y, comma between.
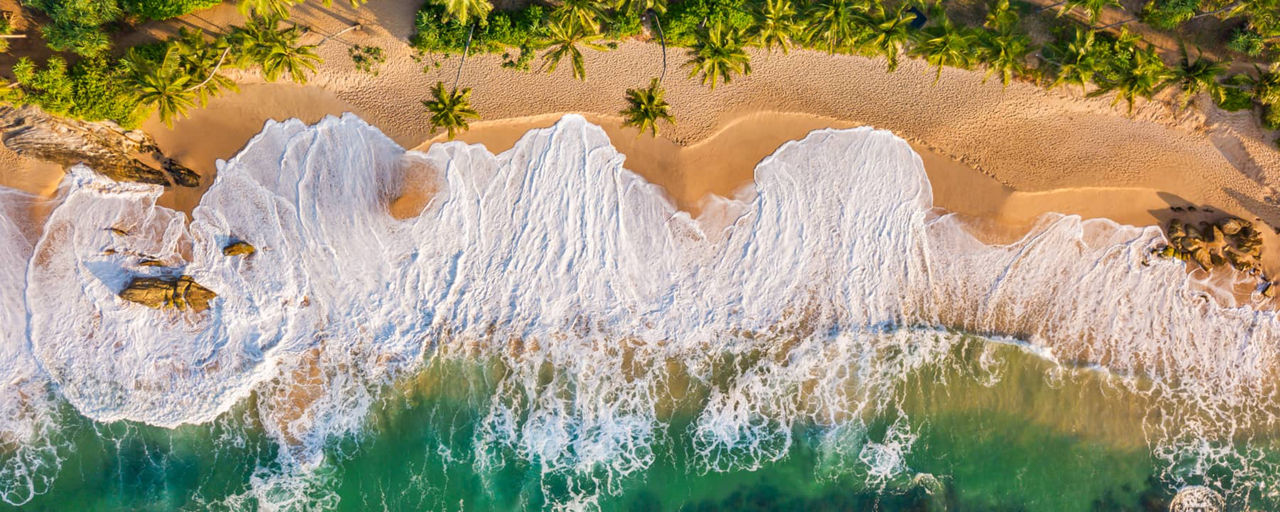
x: 551, y: 333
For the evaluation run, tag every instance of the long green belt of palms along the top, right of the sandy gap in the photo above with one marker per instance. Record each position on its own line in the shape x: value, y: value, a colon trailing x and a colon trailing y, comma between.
x: 1100, y: 61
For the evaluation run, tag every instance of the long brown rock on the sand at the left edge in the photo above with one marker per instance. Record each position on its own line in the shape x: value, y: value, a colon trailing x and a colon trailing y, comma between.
x: 104, y: 147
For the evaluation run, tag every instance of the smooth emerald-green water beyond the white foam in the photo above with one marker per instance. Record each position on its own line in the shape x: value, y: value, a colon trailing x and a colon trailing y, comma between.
x: 1034, y: 440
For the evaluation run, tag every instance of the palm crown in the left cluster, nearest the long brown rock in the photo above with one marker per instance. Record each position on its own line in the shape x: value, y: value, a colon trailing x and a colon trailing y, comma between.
x: 162, y: 85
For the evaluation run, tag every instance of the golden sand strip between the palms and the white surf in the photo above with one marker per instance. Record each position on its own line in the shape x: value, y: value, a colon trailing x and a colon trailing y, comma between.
x: 998, y: 156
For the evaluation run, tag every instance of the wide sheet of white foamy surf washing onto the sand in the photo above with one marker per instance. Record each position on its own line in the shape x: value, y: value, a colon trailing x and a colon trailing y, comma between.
x: 803, y: 301
